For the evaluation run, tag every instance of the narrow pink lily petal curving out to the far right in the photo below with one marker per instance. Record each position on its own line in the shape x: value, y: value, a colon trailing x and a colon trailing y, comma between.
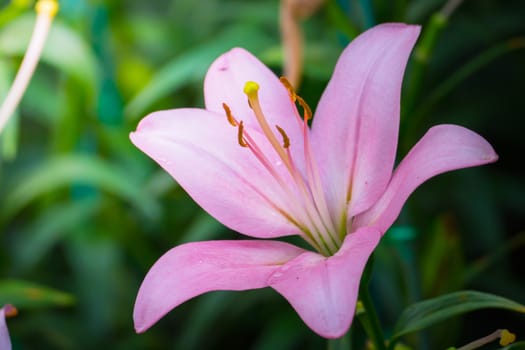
x: 443, y: 148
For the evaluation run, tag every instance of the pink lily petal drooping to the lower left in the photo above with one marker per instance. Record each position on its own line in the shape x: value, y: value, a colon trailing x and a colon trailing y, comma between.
x: 196, y: 268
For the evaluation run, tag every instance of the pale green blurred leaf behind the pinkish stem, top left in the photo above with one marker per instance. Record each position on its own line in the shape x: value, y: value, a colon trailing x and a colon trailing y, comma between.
x: 64, y: 49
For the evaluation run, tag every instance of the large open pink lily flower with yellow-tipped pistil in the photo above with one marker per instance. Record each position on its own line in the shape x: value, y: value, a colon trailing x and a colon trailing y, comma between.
x: 253, y: 163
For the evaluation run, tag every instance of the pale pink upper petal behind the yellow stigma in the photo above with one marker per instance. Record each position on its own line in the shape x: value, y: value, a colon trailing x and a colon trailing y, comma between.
x: 225, y: 82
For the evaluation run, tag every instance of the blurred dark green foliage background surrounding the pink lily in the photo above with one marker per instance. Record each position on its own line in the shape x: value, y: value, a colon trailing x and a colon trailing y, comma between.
x: 84, y: 214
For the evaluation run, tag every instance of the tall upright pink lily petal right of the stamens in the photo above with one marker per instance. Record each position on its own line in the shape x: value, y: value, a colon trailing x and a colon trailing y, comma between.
x: 355, y: 127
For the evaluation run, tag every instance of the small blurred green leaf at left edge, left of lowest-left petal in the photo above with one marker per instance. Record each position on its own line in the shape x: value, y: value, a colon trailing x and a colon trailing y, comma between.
x: 24, y: 294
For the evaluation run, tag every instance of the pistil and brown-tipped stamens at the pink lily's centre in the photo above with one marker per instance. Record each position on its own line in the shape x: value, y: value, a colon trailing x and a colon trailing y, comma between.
x: 306, y: 205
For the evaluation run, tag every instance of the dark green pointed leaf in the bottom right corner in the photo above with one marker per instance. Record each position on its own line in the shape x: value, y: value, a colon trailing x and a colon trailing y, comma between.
x: 429, y: 312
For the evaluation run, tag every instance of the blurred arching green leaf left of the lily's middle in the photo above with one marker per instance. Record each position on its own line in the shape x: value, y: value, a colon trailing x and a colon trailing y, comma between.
x: 77, y: 169
